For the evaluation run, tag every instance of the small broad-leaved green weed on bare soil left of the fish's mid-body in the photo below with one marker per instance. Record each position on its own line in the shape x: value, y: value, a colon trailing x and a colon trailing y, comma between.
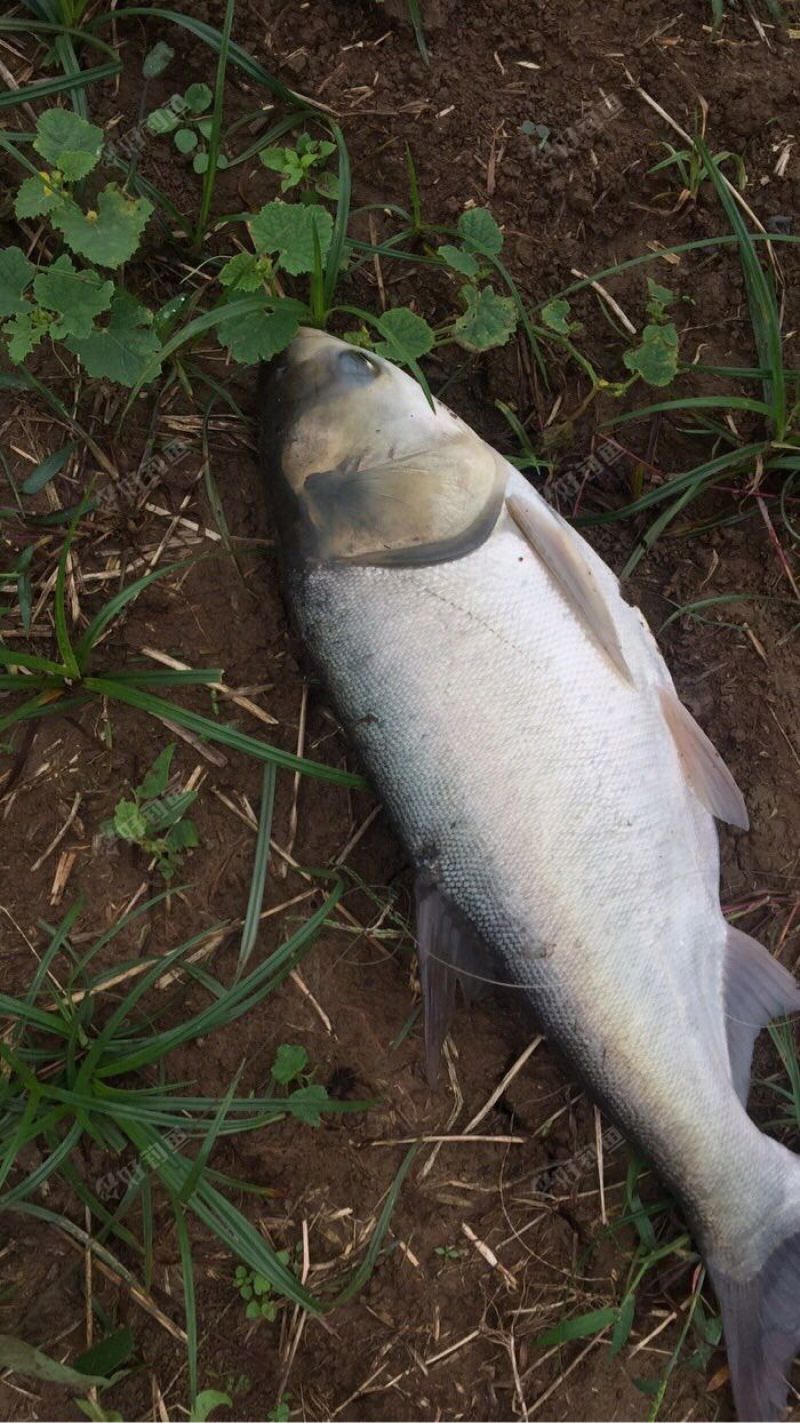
x: 154, y: 820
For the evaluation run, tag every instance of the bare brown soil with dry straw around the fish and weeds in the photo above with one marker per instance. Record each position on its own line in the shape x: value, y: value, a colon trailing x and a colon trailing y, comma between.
x: 442, y: 1330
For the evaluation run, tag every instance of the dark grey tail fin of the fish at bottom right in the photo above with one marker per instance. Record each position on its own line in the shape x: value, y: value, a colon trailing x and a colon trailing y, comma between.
x: 762, y: 1330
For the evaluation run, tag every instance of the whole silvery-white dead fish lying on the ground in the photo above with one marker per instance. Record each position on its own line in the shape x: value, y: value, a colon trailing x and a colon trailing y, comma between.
x: 556, y: 798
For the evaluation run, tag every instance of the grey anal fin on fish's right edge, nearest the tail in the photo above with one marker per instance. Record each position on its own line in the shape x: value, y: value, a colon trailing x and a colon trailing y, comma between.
x: 757, y: 990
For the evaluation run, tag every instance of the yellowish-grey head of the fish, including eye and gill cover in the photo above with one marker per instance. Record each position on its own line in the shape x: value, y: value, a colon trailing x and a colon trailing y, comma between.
x: 364, y: 469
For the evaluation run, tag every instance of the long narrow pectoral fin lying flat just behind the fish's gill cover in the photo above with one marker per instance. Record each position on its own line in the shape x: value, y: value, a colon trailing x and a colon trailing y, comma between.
x: 563, y: 559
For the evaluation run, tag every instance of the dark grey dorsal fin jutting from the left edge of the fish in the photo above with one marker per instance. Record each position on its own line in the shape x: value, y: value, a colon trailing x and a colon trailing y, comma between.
x: 449, y: 951
